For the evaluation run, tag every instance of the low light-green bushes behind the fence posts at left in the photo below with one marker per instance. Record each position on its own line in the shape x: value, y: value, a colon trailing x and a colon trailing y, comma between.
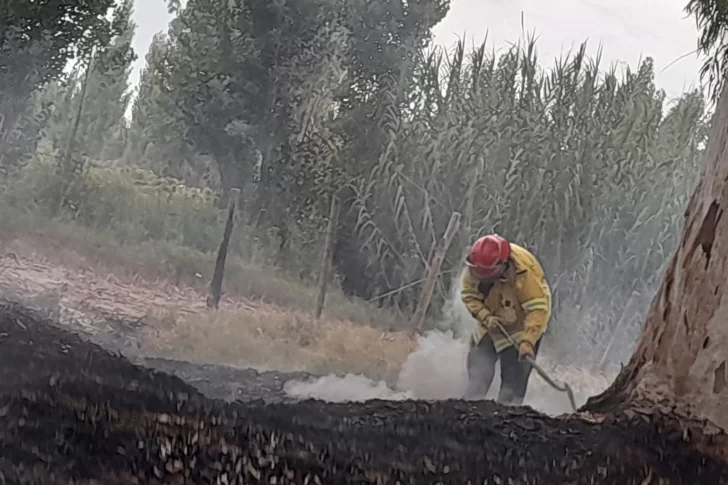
x: 135, y: 205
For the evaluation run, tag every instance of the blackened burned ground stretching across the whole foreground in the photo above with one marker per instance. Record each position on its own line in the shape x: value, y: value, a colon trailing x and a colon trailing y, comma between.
x: 71, y: 411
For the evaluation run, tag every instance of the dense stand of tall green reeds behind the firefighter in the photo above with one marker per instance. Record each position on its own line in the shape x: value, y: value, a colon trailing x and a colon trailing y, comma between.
x: 589, y: 170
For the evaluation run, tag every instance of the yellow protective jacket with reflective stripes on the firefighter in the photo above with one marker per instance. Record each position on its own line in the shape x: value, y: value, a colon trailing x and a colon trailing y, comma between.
x: 523, y: 304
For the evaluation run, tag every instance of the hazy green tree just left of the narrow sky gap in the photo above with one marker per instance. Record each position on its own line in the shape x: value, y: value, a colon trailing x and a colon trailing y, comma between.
x: 86, y: 109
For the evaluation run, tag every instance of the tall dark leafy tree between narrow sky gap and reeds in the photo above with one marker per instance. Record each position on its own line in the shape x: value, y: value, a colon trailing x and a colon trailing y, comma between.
x: 278, y: 93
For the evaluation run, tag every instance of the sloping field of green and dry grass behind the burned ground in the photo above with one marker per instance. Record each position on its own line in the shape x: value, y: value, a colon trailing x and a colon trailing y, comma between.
x: 265, y: 320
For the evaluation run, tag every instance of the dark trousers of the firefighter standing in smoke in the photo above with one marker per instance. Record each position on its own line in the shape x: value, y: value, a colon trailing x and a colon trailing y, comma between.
x: 481, y: 370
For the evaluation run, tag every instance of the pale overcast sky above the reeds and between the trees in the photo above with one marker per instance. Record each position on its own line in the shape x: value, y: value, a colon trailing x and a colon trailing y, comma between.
x: 626, y: 30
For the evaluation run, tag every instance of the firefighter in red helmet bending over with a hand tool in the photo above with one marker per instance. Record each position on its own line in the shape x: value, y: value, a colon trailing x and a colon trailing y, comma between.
x: 503, y: 283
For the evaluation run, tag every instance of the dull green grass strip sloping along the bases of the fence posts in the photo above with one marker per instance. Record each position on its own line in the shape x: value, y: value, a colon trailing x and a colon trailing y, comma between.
x: 184, y: 266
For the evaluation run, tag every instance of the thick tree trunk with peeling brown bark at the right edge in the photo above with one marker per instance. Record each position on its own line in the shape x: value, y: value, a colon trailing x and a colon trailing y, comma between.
x: 680, y: 360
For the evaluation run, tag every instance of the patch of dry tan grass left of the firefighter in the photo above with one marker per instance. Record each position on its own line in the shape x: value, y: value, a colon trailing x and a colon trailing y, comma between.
x: 267, y: 337
